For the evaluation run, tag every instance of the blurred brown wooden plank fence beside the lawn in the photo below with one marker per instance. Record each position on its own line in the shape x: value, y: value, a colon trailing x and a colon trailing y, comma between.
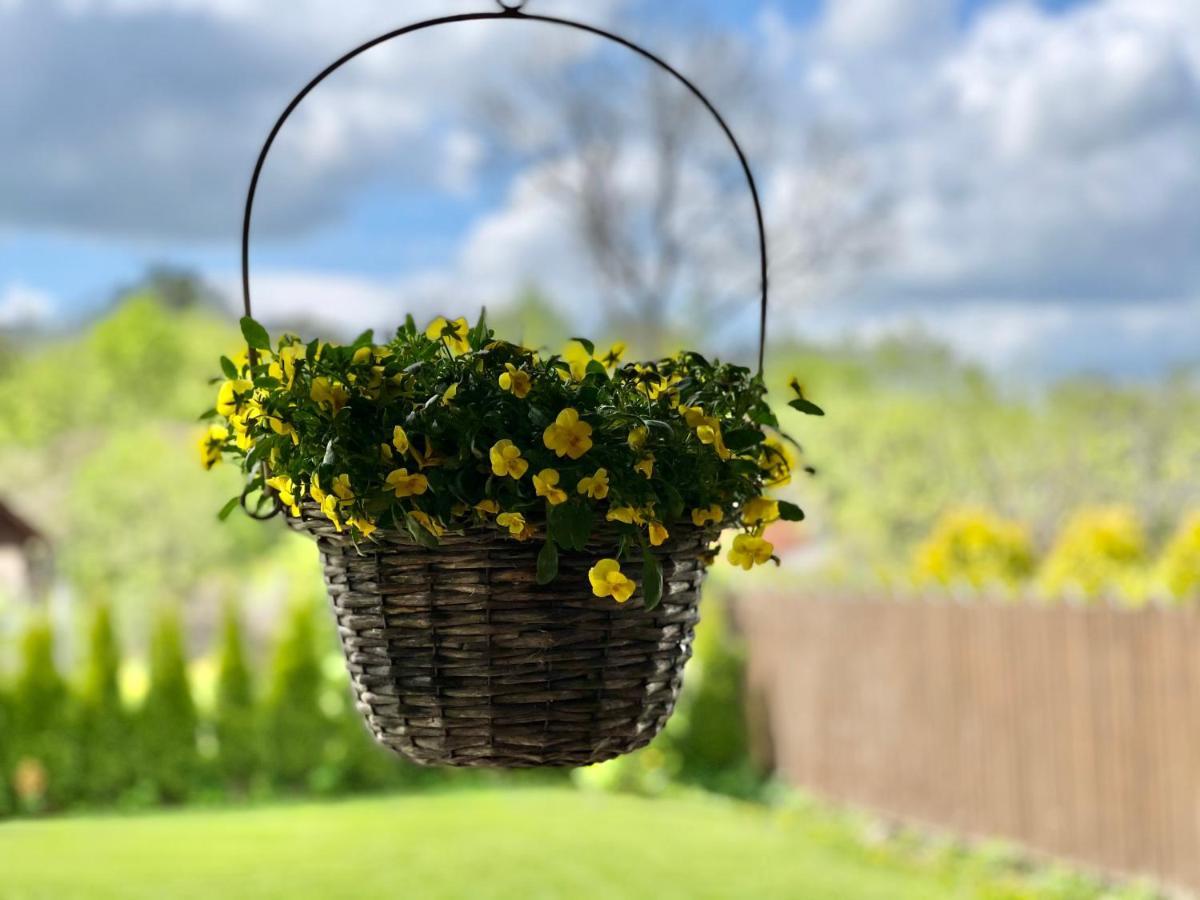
x: 1072, y: 731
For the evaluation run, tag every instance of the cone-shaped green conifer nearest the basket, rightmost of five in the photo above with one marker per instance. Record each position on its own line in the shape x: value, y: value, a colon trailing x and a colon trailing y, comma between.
x: 296, y: 728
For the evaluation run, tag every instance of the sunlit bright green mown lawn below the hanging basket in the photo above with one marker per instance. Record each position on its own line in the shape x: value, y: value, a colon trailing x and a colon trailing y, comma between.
x: 478, y: 844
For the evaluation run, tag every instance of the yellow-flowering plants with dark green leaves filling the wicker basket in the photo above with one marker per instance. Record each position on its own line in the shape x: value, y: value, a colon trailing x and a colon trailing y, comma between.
x: 449, y: 429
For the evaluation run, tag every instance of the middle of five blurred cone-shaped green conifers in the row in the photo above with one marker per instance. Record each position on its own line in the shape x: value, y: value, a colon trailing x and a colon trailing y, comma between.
x: 167, y: 722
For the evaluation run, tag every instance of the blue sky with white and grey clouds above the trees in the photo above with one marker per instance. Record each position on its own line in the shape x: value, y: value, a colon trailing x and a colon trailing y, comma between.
x: 1036, y: 165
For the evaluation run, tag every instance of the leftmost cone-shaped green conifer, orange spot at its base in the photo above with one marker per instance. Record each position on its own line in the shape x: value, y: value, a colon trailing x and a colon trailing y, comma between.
x: 44, y: 769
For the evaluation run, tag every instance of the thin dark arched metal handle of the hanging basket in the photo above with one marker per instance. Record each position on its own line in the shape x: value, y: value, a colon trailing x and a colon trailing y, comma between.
x: 512, y: 13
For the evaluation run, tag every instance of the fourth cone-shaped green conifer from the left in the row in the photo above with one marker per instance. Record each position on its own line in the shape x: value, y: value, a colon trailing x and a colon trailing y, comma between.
x: 235, y: 716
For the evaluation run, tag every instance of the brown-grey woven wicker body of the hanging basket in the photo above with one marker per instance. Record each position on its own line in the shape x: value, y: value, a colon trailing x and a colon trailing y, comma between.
x: 460, y: 658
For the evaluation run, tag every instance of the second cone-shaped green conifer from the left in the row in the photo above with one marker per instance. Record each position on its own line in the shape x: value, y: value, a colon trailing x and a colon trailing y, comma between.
x: 105, y: 745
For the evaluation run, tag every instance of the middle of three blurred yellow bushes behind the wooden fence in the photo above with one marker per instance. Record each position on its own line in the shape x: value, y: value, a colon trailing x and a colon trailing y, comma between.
x: 1100, y: 555
